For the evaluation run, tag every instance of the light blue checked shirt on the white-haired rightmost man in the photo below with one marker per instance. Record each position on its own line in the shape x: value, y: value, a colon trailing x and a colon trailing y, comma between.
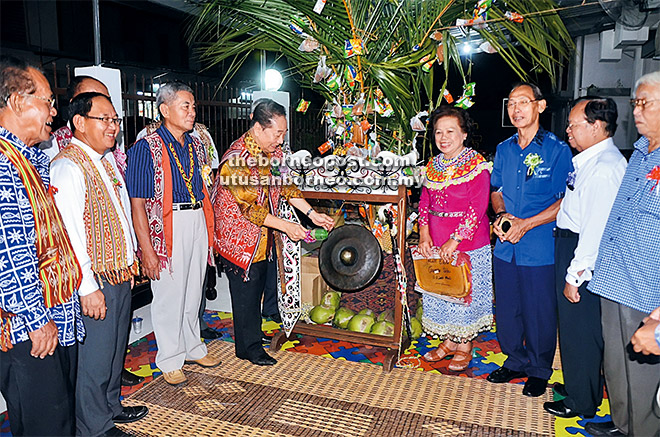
x: 628, y: 264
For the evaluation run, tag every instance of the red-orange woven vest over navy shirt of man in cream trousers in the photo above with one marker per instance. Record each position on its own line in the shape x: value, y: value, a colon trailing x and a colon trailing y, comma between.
x: 159, y: 207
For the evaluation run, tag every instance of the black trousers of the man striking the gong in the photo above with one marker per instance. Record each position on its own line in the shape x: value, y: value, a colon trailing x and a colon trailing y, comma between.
x: 246, y: 307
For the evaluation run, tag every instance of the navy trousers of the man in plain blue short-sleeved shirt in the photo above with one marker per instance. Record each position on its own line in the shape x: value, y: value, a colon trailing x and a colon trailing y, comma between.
x: 526, y: 315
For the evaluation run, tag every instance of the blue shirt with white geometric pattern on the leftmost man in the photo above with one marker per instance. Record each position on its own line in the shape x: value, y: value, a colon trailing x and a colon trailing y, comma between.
x: 21, y: 291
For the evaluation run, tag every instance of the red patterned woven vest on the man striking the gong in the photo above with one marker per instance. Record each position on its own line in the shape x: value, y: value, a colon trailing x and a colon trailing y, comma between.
x: 235, y: 237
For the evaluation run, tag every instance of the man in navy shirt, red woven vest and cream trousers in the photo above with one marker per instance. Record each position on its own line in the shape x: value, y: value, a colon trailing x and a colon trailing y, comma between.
x: 173, y: 222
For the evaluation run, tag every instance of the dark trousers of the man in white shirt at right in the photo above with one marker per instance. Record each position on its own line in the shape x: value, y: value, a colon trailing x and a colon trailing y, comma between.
x: 580, y: 334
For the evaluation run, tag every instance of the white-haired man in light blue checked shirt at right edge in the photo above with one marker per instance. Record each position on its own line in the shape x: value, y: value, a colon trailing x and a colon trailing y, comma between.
x: 625, y: 276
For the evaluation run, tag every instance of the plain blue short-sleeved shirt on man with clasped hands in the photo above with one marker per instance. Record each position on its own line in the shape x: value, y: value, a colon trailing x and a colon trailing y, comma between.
x: 525, y: 196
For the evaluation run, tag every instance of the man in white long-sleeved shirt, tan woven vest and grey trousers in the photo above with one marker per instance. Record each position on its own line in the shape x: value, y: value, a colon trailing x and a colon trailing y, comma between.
x: 95, y: 207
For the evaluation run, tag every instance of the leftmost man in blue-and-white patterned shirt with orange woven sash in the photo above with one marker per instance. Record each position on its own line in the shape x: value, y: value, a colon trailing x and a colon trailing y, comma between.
x: 40, y: 319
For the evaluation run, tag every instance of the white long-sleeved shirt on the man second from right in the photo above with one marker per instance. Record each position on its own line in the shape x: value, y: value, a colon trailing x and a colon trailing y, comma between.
x: 585, y: 209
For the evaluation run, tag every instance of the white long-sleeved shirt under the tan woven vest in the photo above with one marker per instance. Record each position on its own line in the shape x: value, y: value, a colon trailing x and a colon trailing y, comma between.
x: 69, y: 181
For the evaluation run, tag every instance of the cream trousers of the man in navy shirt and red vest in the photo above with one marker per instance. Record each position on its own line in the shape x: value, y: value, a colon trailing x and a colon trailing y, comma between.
x: 177, y: 295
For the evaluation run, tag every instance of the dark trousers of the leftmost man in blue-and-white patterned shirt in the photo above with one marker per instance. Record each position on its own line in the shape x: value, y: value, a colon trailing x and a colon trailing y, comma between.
x: 39, y: 393
